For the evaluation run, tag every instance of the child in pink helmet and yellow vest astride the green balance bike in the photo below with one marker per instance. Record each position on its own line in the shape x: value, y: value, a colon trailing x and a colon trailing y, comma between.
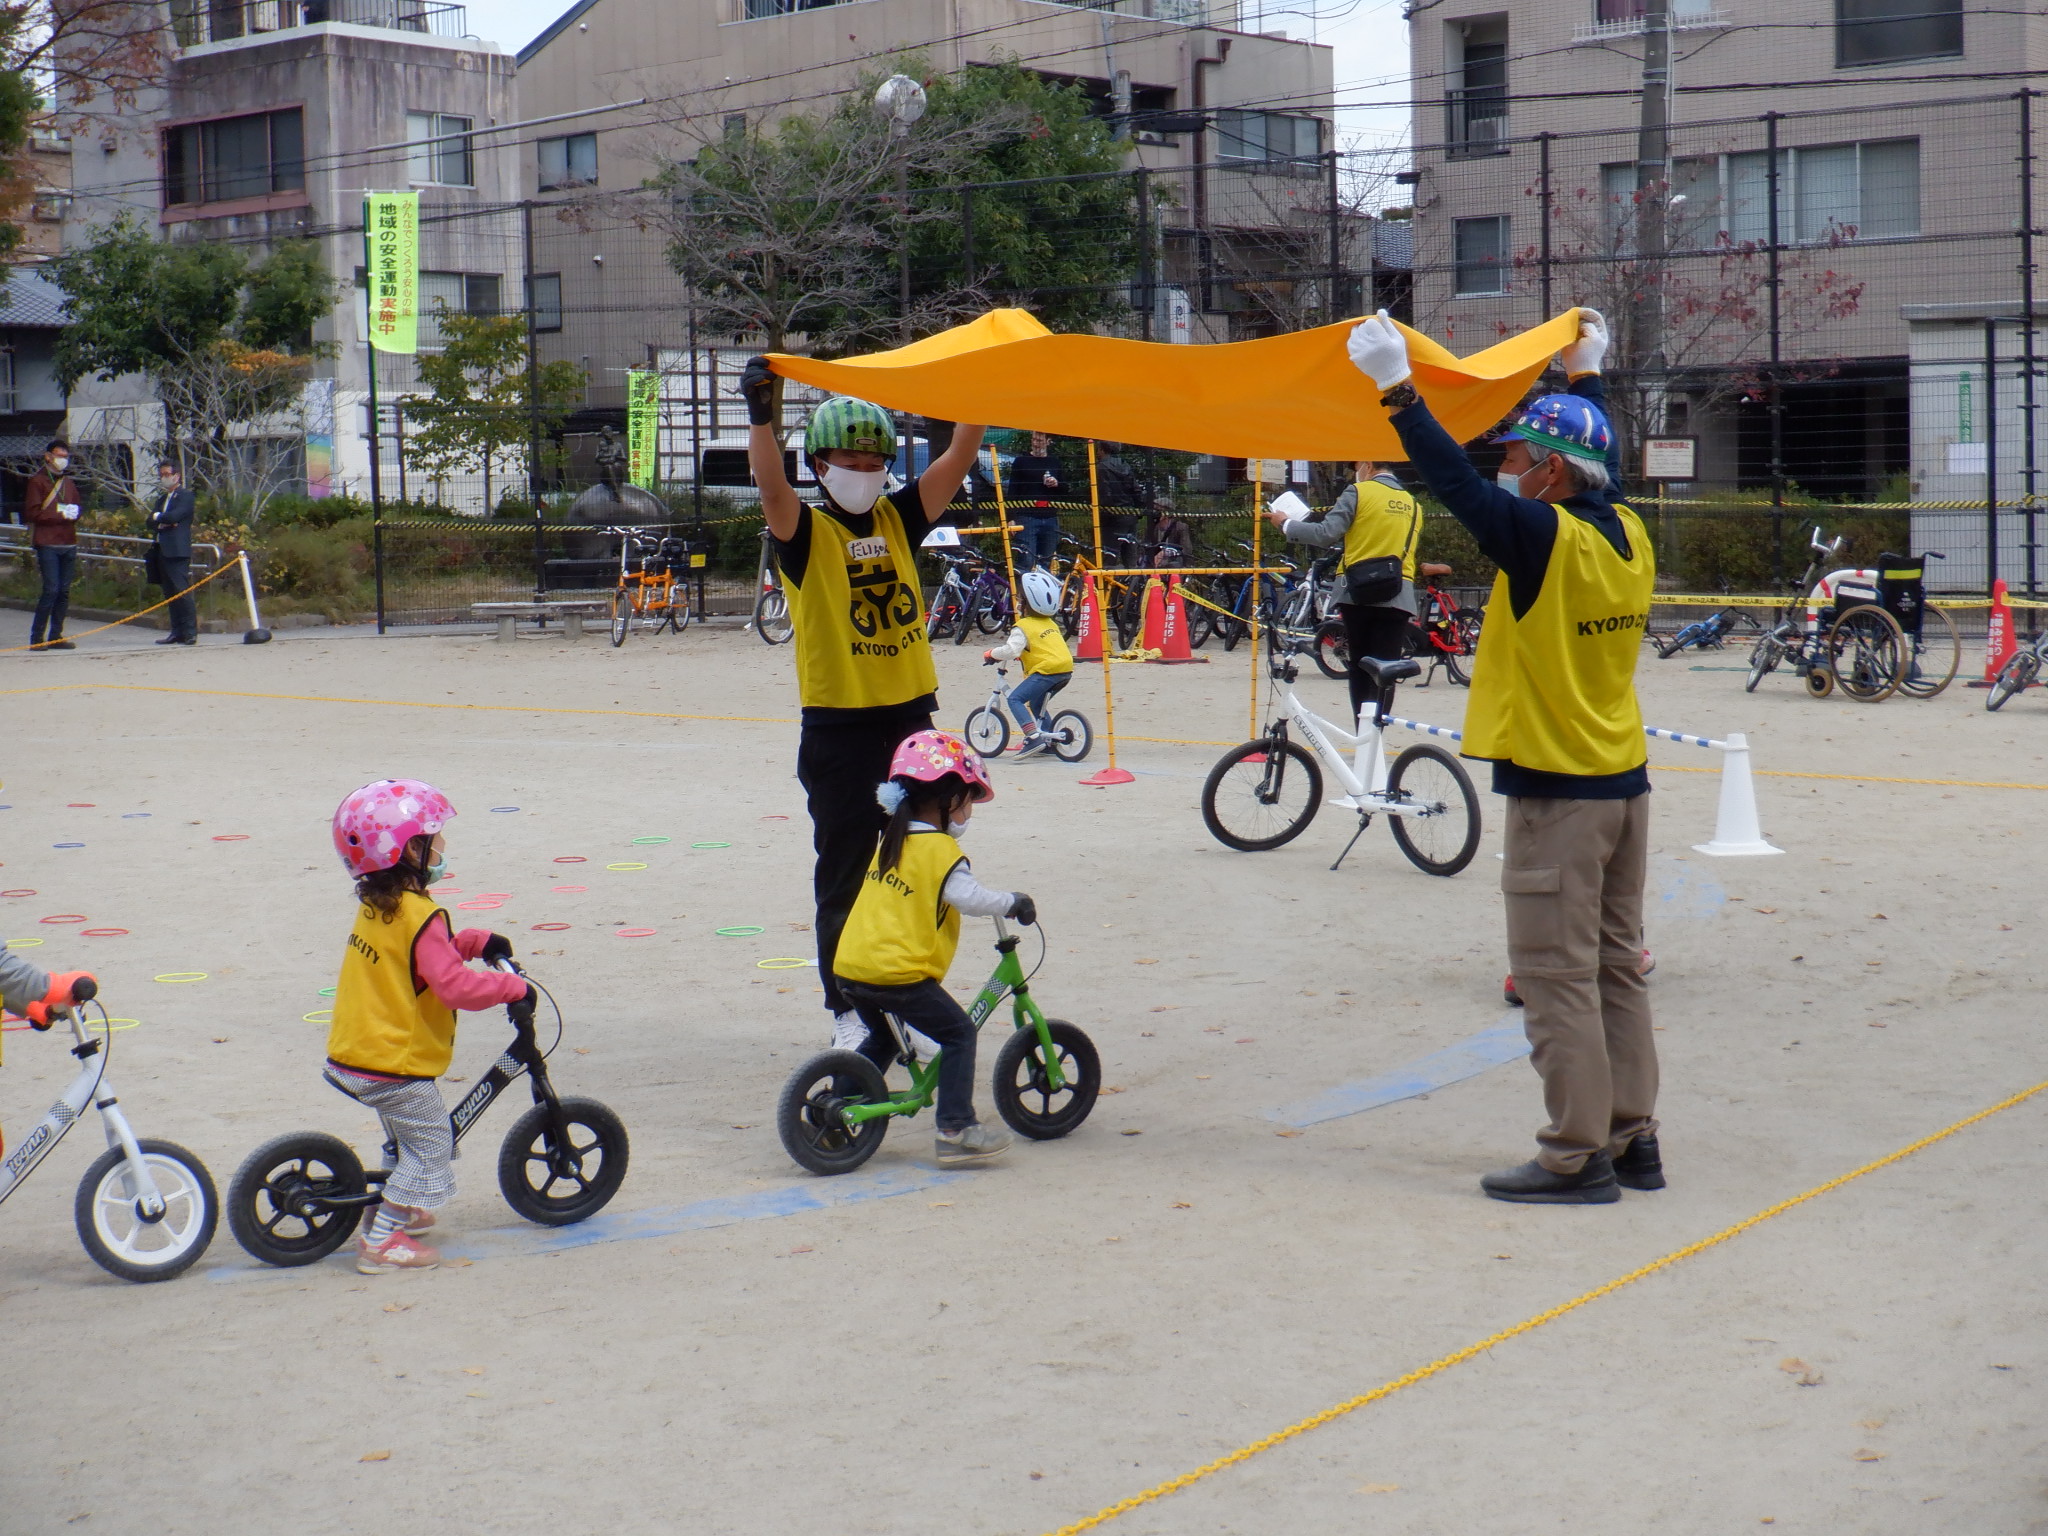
x: 906, y: 927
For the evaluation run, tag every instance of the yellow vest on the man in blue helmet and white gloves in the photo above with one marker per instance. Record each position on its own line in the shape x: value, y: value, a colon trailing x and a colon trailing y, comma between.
x: 1555, y: 689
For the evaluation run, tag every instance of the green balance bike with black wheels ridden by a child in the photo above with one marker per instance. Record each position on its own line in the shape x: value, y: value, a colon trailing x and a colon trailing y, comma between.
x: 837, y: 1107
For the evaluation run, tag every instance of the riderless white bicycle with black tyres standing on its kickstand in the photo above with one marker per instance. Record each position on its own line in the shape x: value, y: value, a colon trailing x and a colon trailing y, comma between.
x: 1267, y: 792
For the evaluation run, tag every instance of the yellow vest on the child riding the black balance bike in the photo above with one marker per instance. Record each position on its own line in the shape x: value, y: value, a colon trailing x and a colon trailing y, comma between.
x: 384, y: 1021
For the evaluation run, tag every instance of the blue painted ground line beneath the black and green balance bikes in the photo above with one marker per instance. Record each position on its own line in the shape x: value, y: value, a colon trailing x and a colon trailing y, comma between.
x: 663, y: 1222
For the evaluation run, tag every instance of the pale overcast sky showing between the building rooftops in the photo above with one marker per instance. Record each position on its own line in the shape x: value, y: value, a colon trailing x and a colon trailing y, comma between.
x: 1369, y: 36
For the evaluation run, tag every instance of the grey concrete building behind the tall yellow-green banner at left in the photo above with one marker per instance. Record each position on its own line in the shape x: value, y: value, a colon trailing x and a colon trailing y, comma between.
x: 273, y: 120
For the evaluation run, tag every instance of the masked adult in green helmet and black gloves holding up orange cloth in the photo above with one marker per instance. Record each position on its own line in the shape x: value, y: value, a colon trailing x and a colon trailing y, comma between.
x: 863, y: 660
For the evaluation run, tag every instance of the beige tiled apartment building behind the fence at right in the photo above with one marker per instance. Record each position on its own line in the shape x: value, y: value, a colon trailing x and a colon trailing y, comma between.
x: 1900, y: 157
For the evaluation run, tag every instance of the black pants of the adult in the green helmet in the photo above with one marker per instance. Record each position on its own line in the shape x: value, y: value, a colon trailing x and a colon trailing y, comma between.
x: 839, y: 767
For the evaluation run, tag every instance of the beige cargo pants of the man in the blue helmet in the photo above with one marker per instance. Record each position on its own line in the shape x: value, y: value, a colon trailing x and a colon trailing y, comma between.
x: 1574, y: 894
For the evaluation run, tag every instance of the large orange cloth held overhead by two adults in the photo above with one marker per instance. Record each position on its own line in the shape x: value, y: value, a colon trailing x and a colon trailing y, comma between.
x: 1275, y: 398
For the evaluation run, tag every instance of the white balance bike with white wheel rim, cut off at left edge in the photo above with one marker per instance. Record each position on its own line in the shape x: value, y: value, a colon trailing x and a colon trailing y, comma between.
x: 146, y: 1209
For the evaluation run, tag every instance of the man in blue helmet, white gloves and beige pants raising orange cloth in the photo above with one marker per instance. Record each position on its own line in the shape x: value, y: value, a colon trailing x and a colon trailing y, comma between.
x: 1555, y: 712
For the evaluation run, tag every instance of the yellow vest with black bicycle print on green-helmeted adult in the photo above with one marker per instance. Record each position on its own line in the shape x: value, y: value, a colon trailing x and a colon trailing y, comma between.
x: 859, y: 617
